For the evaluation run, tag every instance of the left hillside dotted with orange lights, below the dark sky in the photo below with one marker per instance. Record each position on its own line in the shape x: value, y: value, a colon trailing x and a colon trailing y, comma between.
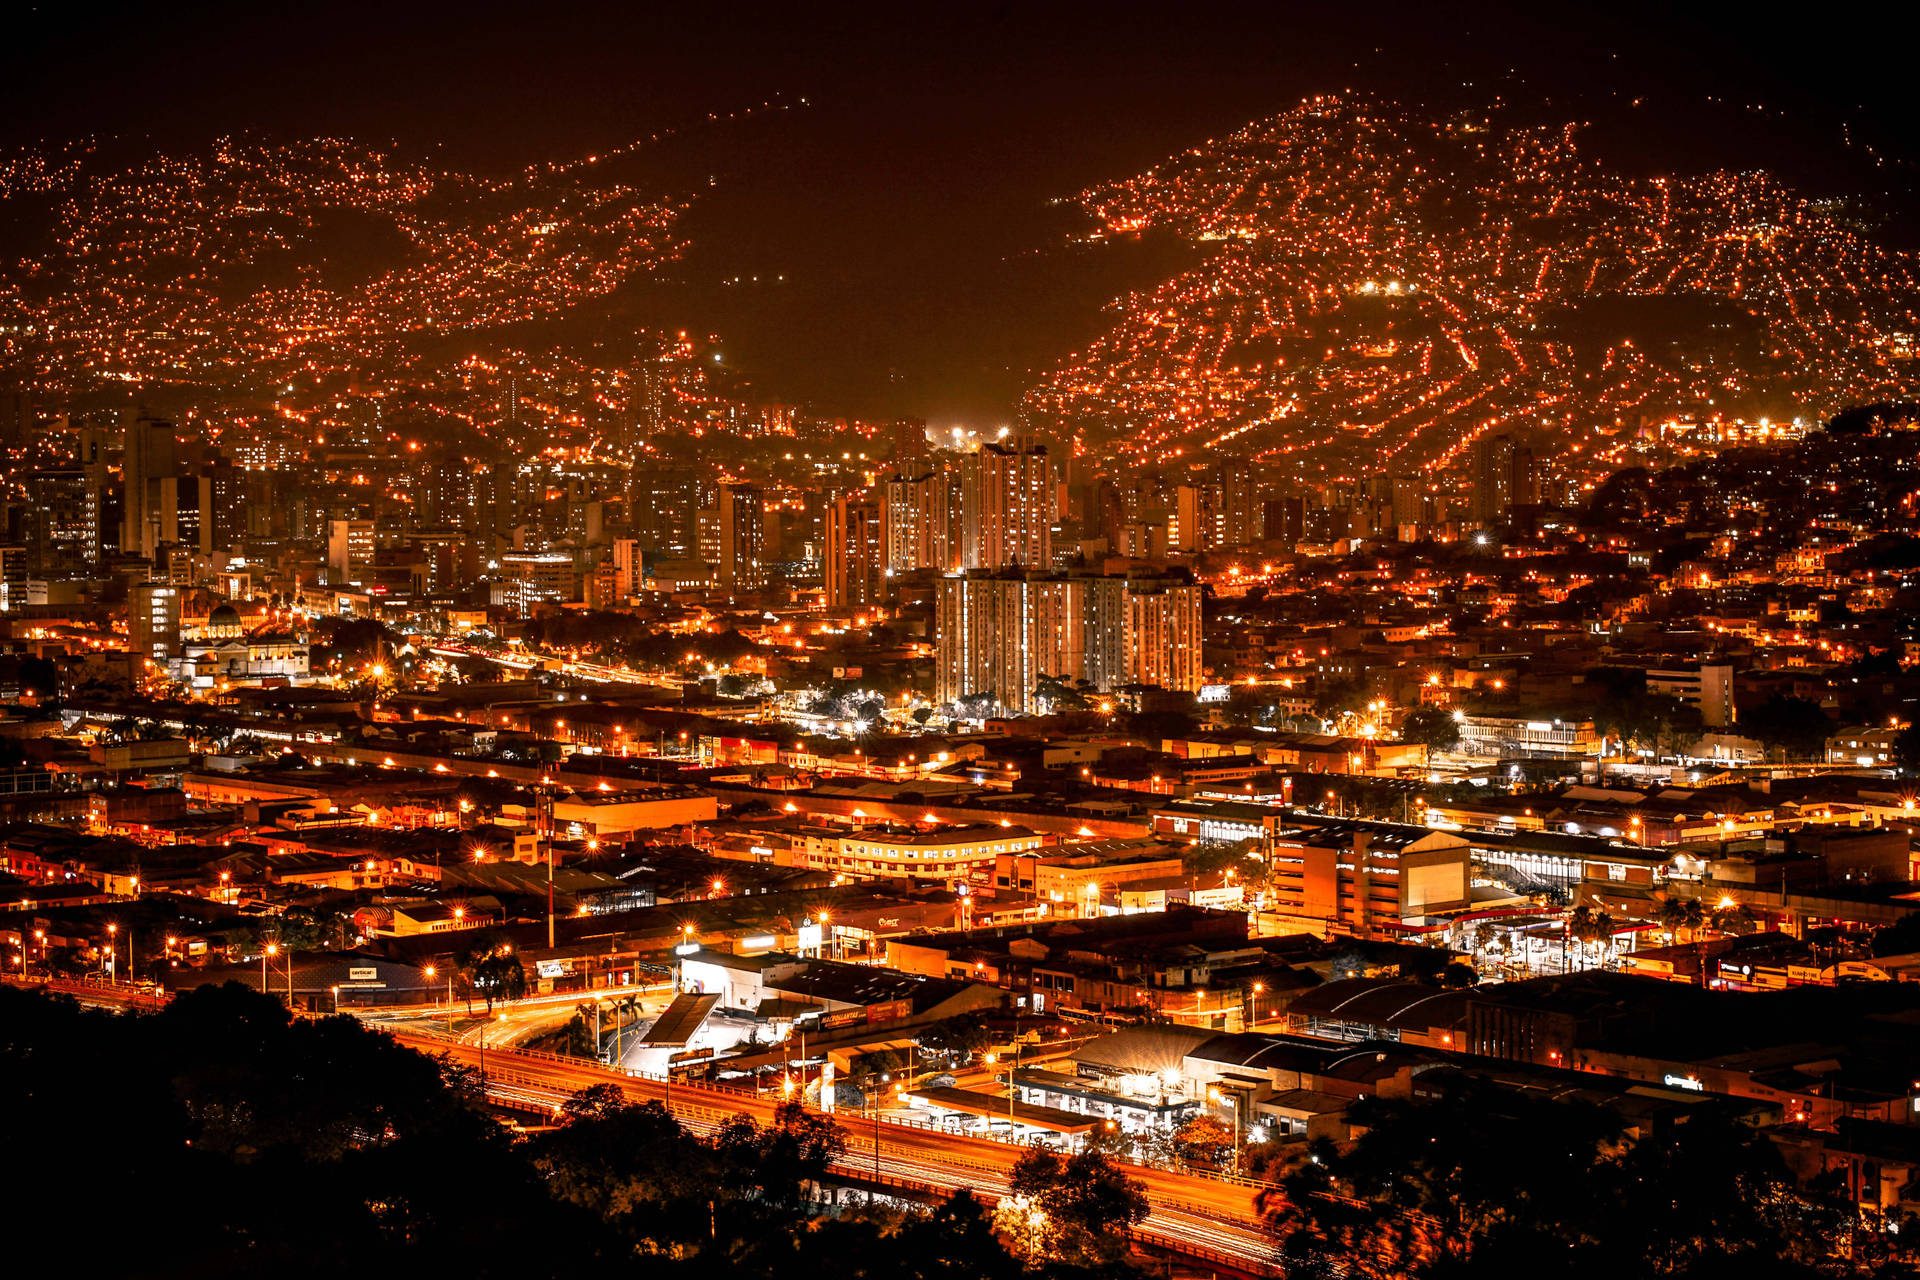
x: 249, y: 264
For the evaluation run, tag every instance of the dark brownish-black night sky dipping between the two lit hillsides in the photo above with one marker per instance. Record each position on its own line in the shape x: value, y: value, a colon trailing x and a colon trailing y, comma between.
x: 907, y: 204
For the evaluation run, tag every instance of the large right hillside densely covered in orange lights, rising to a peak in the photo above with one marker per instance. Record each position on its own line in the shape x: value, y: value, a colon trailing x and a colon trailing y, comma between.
x: 1385, y: 289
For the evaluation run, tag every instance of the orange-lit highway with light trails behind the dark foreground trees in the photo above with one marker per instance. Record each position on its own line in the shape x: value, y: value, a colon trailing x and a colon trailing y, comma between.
x: 1205, y: 1218
